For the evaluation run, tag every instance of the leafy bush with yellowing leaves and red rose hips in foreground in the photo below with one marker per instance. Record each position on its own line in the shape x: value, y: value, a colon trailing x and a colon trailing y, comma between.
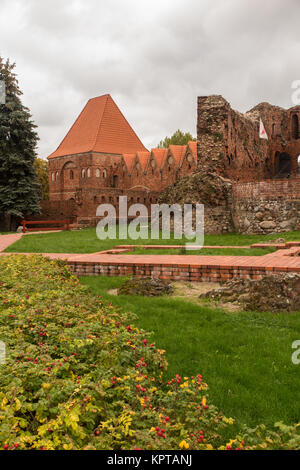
x: 79, y: 375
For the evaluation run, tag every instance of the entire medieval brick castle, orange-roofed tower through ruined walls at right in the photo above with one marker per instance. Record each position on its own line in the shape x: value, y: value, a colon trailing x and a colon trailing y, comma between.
x: 101, y: 158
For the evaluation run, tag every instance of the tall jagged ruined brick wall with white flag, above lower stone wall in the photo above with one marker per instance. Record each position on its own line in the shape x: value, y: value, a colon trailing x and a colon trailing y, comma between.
x: 229, y: 142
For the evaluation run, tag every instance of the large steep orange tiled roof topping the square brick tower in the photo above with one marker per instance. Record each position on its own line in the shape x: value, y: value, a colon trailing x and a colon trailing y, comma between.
x: 100, y: 127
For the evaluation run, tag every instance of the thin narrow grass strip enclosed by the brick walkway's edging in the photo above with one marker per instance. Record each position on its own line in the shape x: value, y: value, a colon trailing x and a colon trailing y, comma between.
x: 204, y: 251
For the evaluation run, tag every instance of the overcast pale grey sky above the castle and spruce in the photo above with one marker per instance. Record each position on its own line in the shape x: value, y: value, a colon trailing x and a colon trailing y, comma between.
x: 154, y: 58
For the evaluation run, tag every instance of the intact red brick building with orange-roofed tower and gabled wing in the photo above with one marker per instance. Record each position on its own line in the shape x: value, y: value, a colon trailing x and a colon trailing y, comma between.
x: 101, y: 158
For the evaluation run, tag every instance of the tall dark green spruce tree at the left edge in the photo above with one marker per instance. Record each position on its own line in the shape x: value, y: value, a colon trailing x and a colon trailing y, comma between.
x: 19, y: 189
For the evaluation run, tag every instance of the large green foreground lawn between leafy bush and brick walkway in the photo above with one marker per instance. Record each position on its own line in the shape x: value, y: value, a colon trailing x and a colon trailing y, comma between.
x: 244, y: 357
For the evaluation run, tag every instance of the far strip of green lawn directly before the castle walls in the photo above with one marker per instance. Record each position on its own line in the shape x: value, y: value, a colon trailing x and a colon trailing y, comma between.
x: 86, y: 241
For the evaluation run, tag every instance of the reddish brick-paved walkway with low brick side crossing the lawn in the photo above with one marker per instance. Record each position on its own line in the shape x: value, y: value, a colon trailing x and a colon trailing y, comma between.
x: 183, y: 267
